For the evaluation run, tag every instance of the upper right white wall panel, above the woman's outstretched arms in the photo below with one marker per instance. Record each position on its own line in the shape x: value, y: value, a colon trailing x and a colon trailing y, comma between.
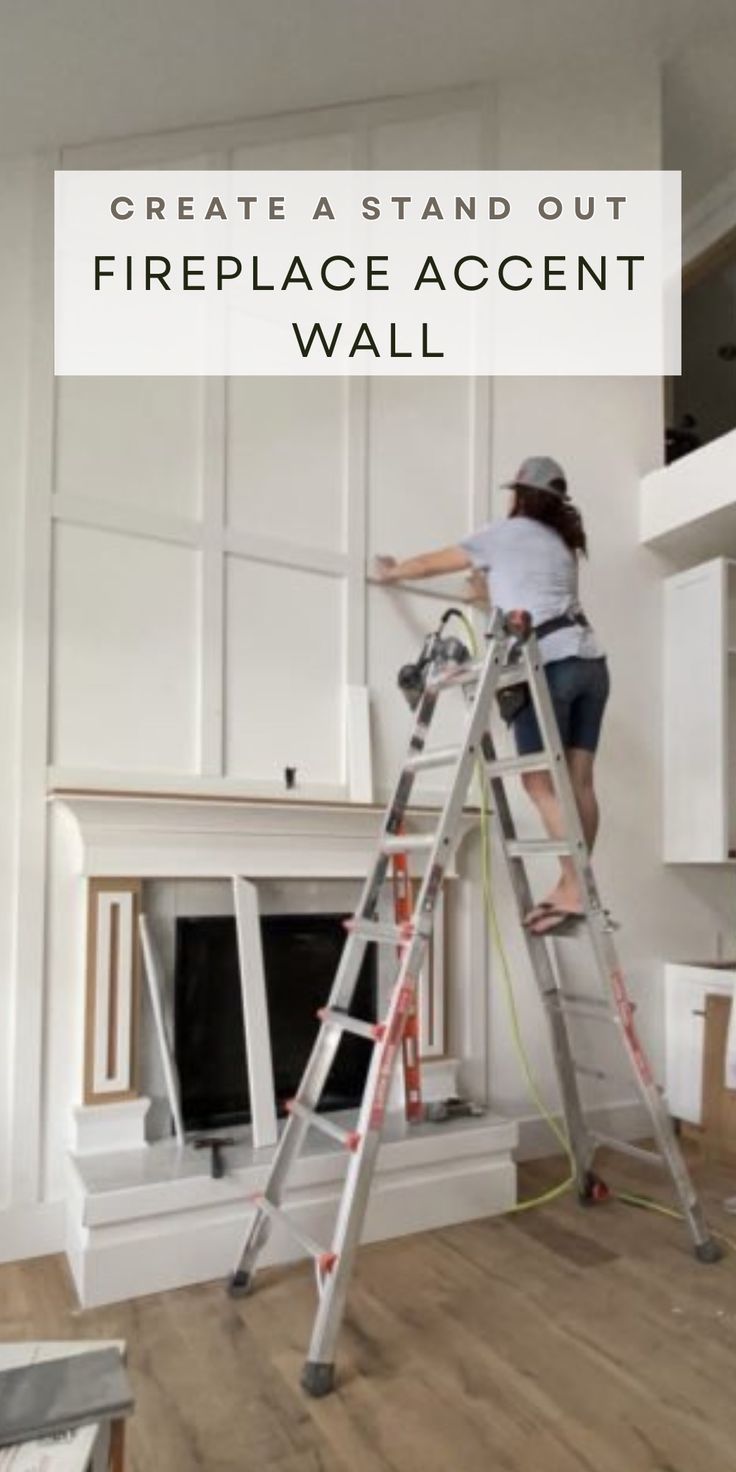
x: 420, y: 464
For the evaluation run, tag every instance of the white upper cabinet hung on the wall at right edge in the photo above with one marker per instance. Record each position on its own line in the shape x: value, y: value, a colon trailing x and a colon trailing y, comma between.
x: 700, y: 715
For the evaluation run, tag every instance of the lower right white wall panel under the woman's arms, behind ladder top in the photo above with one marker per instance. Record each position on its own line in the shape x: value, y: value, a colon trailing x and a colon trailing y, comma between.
x: 398, y: 625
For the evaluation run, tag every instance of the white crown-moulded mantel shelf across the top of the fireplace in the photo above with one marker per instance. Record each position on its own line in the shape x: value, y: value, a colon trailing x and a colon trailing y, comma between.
x: 205, y: 838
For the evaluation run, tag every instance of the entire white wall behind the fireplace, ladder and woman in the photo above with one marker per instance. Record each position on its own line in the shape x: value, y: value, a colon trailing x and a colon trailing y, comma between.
x: 188, y: 556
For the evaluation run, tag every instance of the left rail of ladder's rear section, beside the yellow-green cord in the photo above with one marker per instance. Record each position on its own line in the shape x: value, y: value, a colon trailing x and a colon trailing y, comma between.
x: 579, y: 1137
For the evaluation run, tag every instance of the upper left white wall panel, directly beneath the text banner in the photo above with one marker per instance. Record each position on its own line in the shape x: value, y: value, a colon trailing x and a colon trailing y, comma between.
x: 132, y: 441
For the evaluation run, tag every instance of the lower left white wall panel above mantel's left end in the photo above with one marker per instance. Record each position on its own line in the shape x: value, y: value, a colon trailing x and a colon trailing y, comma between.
x: 124, y: 670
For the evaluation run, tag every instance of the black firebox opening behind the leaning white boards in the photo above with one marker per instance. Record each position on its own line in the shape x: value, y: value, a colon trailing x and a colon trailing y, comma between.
x: 301, y: 955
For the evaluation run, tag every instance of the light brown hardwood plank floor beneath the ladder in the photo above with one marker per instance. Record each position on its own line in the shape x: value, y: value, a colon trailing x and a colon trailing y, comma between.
x: 563, y: 1340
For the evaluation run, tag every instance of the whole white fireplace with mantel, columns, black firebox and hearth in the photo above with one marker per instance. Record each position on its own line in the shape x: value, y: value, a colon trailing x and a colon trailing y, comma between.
x: 144, y: 1209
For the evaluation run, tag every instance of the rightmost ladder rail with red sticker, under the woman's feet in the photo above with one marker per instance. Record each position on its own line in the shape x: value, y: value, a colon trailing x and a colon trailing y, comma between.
x: 607, y: 956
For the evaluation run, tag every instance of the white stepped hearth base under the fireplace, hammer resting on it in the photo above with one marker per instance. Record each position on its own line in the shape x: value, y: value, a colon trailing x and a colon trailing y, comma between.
x: 148, y: 1221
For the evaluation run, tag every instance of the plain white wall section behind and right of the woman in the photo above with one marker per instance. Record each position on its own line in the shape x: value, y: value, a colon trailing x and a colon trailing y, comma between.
x: 607, y: 434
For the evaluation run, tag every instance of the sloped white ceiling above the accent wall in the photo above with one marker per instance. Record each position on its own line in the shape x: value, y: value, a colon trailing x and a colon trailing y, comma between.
x: 74, y: 71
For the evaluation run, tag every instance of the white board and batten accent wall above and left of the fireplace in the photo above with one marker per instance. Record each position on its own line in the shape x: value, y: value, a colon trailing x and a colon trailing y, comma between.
x: 194, y: 612
